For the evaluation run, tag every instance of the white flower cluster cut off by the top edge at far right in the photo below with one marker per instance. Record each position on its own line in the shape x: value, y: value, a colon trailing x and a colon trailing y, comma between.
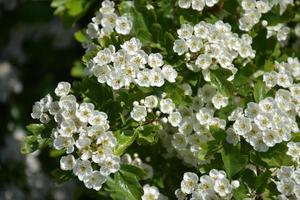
x: 254, y: 9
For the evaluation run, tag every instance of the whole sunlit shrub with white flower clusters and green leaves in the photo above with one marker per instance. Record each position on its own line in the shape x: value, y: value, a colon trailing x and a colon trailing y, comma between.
x: 200, y: 95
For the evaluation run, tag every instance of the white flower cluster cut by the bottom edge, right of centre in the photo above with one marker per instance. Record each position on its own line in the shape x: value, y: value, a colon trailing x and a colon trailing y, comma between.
x: 212, y: 186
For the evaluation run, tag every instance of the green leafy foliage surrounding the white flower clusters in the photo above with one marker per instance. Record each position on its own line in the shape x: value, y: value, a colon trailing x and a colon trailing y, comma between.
x: 157, y: 30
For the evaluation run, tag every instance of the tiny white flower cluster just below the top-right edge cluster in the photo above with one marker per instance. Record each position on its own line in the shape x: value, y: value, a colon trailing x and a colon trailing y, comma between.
x: 280, y: 31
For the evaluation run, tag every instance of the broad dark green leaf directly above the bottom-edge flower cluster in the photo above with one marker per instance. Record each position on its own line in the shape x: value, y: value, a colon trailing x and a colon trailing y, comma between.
x: 233, y: 161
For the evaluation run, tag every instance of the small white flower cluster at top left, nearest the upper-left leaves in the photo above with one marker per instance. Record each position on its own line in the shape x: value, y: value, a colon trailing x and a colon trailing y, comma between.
x: 109, y: 21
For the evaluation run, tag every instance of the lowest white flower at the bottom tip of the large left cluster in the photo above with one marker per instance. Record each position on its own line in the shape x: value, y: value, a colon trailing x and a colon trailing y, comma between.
x: 94, y: 180
